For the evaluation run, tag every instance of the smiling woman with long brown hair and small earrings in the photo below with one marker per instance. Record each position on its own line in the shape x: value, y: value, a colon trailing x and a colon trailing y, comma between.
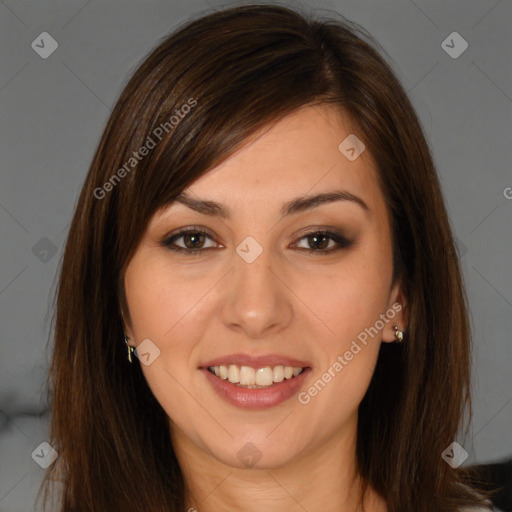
x: 263, y: 221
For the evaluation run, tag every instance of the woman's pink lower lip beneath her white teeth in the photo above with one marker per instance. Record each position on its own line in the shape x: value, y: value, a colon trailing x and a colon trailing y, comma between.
x: 256, y: 398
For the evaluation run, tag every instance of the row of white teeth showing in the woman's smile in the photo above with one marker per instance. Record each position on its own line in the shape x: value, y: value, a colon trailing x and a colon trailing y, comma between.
x: 255, y: 377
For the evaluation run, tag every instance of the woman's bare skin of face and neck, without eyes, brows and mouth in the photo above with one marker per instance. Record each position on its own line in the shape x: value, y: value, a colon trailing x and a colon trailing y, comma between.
x: 288, y: 301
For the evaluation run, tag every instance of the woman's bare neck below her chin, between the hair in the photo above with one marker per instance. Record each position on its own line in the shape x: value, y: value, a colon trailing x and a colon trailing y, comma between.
x: 323, y: 480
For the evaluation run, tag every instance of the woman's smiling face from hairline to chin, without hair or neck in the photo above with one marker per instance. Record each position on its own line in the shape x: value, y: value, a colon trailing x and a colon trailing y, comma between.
x: 261, y: 288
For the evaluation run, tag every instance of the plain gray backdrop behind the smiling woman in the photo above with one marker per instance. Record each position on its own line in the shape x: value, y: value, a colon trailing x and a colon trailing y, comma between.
x: 52, y: 114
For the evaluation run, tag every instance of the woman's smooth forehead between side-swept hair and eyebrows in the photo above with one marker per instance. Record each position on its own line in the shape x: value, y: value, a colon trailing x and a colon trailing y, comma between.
x: 299, y: 155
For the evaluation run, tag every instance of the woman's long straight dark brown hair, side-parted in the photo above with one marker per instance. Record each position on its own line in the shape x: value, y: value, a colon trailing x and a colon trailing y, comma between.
x: 192, y: 103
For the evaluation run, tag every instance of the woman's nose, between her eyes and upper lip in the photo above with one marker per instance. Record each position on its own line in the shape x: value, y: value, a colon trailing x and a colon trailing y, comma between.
x: 257, y: 301
